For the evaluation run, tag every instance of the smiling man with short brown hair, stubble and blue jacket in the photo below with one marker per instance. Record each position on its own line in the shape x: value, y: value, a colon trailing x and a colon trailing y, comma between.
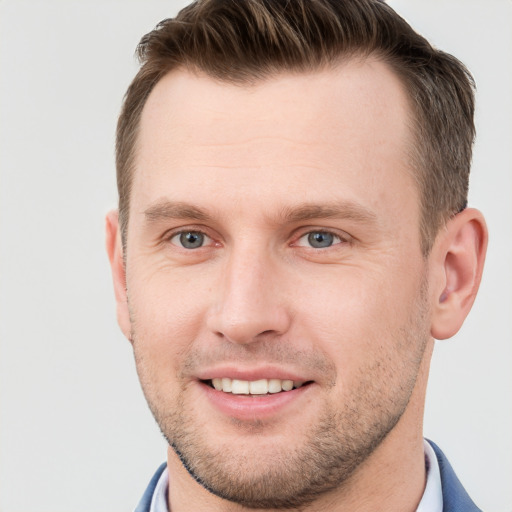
x: 292, y: 236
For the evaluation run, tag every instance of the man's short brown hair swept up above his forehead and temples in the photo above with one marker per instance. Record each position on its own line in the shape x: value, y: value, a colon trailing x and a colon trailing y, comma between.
x: 245, y: 41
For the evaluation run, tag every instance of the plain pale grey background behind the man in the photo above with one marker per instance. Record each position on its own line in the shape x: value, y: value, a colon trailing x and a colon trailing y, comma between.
x: 75, y: 432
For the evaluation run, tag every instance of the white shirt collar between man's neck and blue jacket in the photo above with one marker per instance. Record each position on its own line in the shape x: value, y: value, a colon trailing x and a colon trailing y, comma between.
x: 432, y: 500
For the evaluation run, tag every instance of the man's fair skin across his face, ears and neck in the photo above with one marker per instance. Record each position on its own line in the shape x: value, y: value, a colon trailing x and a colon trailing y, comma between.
x: 256, y: 169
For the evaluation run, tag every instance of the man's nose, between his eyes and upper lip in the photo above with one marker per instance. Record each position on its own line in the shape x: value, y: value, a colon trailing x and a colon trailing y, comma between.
x: 250, y: 303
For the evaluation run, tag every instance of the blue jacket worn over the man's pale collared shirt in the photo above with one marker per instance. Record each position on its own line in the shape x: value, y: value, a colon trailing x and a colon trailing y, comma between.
x: 455, y: 498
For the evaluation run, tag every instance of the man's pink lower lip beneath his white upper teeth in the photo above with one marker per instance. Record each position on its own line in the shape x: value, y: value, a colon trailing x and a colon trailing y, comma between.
x: 253, y: 407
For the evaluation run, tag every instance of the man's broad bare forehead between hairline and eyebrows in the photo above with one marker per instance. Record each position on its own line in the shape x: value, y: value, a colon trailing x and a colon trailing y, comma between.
x: 342, y: 130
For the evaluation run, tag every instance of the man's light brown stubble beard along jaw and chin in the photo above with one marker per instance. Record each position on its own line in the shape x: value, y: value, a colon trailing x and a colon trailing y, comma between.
x: 338, y: 443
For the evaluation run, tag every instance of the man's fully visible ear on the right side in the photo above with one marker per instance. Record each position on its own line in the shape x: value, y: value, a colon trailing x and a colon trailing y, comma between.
x: 458, y: 259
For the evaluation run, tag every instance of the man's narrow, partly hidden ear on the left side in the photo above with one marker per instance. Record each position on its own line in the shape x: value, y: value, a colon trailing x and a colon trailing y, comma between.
x: 115, y: 255
